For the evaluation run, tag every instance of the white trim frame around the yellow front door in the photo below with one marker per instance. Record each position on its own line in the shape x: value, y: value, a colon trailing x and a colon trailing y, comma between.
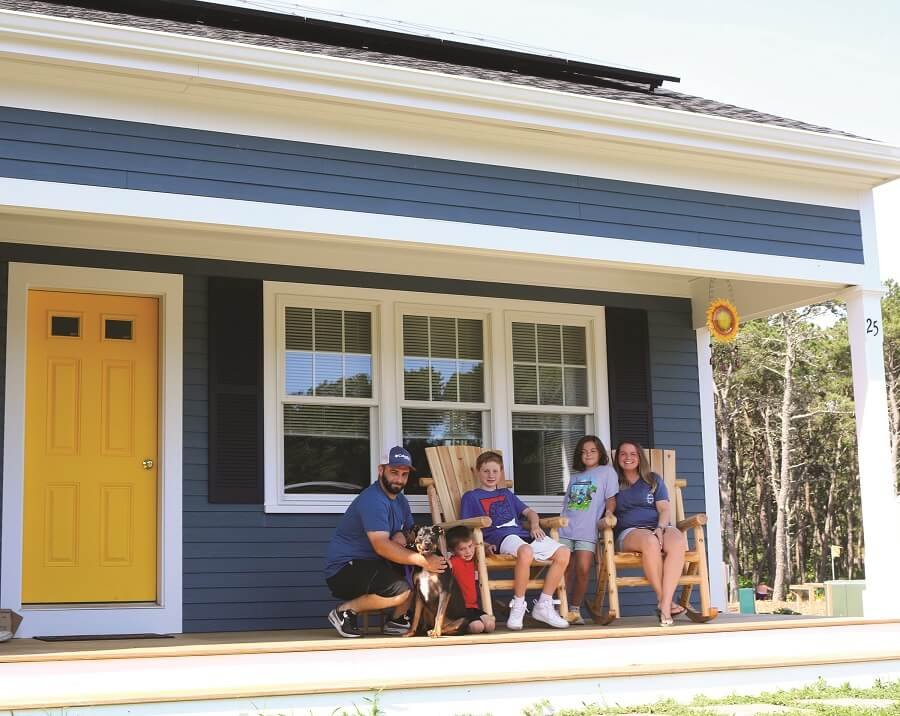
x: 164, y: 616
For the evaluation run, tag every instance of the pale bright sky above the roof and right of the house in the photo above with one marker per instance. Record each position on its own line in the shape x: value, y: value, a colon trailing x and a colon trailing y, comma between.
x: 829, y: 62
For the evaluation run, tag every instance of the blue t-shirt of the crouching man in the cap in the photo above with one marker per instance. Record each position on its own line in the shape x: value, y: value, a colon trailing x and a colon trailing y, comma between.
x: 371, y: 511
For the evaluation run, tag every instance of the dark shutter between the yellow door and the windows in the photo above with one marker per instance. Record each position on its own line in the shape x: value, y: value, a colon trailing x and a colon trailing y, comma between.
x: 235, y: 391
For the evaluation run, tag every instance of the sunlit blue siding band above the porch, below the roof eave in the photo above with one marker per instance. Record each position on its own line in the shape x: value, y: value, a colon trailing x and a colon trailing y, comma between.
x: 111, y: 153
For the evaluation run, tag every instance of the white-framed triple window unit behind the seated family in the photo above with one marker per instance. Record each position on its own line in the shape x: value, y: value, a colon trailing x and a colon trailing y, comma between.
x: 351, y: 371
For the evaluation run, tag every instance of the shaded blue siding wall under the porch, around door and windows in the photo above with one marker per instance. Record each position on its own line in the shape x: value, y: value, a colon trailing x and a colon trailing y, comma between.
x: 245, y: 569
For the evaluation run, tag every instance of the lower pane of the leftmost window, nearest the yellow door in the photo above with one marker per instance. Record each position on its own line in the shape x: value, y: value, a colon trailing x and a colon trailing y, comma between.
x: 326, y: 449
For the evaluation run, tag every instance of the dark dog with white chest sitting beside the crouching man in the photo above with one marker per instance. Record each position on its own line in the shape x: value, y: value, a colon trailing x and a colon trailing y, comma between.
x: 433, y: 594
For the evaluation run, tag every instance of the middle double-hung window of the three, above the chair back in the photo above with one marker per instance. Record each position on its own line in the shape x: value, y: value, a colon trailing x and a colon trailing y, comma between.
x: 443, y: 383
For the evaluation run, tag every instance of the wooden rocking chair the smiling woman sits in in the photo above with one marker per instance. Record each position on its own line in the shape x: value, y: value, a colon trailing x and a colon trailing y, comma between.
x: 662, y: 462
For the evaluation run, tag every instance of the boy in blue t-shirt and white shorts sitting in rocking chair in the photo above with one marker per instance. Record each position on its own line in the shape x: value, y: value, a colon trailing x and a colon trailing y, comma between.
x: 507, y: 536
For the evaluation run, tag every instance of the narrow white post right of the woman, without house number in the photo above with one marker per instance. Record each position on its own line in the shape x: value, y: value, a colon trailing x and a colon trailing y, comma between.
x: 717, y: 589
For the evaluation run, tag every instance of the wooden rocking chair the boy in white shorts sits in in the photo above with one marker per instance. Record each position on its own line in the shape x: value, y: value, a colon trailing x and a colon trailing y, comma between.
x: 452, y: 474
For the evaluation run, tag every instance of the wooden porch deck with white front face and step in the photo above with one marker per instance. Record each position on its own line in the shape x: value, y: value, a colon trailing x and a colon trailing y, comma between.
x: 319, y: 671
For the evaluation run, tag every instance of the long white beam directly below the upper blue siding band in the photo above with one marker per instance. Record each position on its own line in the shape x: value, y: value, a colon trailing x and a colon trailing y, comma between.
x: 24, y: 196
